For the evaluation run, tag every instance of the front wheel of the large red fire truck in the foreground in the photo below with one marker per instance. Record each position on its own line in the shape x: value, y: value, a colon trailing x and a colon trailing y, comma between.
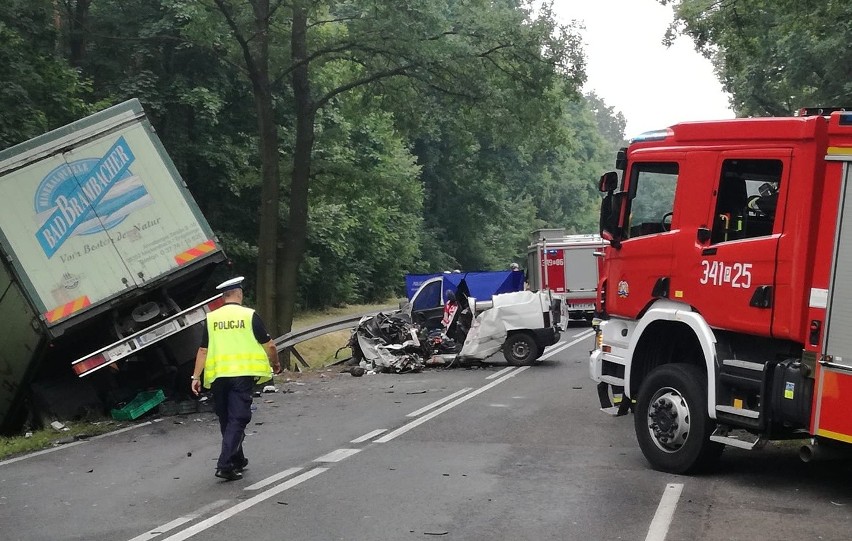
x: 671, y: 420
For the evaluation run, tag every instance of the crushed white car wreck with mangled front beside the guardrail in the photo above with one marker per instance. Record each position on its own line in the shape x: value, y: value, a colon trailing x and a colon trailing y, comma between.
x: 520, y: 323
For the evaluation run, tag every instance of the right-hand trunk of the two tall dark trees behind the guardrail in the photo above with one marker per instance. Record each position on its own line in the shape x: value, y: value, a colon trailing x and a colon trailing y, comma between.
x: 297, y: 230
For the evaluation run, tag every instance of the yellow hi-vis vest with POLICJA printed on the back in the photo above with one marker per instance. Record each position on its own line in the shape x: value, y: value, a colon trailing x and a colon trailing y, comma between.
x: 232, y: 349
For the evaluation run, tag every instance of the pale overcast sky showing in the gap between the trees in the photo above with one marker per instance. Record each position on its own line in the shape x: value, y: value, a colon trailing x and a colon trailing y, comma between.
x: 653, y: 86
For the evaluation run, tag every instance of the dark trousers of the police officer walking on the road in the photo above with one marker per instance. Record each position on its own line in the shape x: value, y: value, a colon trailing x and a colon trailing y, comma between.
x: 232, y: 404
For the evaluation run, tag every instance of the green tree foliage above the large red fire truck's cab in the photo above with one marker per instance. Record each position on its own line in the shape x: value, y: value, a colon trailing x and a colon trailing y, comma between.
x: 773, y: 56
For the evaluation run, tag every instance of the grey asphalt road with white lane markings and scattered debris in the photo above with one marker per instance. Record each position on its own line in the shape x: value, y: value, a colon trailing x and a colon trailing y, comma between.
x: 496, y: 453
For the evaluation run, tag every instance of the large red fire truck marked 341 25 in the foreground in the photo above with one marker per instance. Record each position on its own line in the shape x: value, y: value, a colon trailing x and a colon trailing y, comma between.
x: 726, y: 294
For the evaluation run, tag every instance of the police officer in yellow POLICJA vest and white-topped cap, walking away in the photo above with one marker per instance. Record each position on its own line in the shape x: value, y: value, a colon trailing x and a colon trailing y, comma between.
x: 236, y: 352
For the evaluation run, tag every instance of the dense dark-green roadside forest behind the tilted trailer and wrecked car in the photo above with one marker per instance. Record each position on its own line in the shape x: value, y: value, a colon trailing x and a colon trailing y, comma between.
x: 335, y: 145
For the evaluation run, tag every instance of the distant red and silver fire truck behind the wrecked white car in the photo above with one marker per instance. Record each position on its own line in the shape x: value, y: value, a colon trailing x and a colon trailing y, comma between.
x: 568, y: 267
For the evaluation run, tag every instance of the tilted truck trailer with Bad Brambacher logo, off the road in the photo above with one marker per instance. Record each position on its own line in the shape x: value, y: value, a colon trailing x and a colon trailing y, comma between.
x: 104, y: 256
